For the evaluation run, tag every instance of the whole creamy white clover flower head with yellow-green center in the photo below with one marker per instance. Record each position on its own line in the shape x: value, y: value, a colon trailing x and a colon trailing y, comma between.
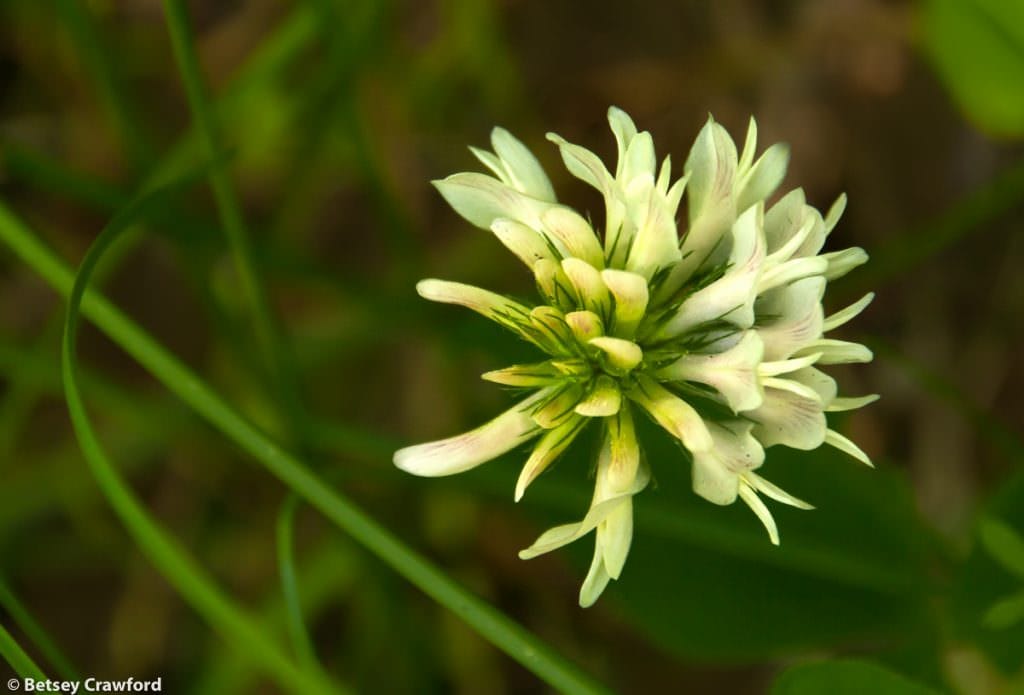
x: 716, y: 331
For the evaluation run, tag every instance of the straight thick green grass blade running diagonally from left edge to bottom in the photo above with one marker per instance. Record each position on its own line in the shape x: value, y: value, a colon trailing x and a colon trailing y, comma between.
x: 491, y: 624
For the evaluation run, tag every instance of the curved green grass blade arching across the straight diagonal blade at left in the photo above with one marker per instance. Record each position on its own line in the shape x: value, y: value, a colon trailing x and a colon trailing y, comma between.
x: 177, y: 566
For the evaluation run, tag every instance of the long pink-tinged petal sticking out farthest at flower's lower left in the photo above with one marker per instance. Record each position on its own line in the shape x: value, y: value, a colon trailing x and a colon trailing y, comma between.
x: 462, y: 453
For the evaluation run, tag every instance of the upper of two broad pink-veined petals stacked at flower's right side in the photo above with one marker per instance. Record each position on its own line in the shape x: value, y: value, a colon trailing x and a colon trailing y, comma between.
x: 797, y: 316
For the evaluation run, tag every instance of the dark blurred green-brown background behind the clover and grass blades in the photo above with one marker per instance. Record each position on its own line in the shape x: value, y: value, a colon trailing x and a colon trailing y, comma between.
x: 337, y: 115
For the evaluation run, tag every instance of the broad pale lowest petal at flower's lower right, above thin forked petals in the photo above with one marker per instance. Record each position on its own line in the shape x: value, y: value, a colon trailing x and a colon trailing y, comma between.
x: 717, y: 471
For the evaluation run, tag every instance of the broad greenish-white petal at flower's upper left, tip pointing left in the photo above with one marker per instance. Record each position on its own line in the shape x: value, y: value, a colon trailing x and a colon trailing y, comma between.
x: 482, y: 200
